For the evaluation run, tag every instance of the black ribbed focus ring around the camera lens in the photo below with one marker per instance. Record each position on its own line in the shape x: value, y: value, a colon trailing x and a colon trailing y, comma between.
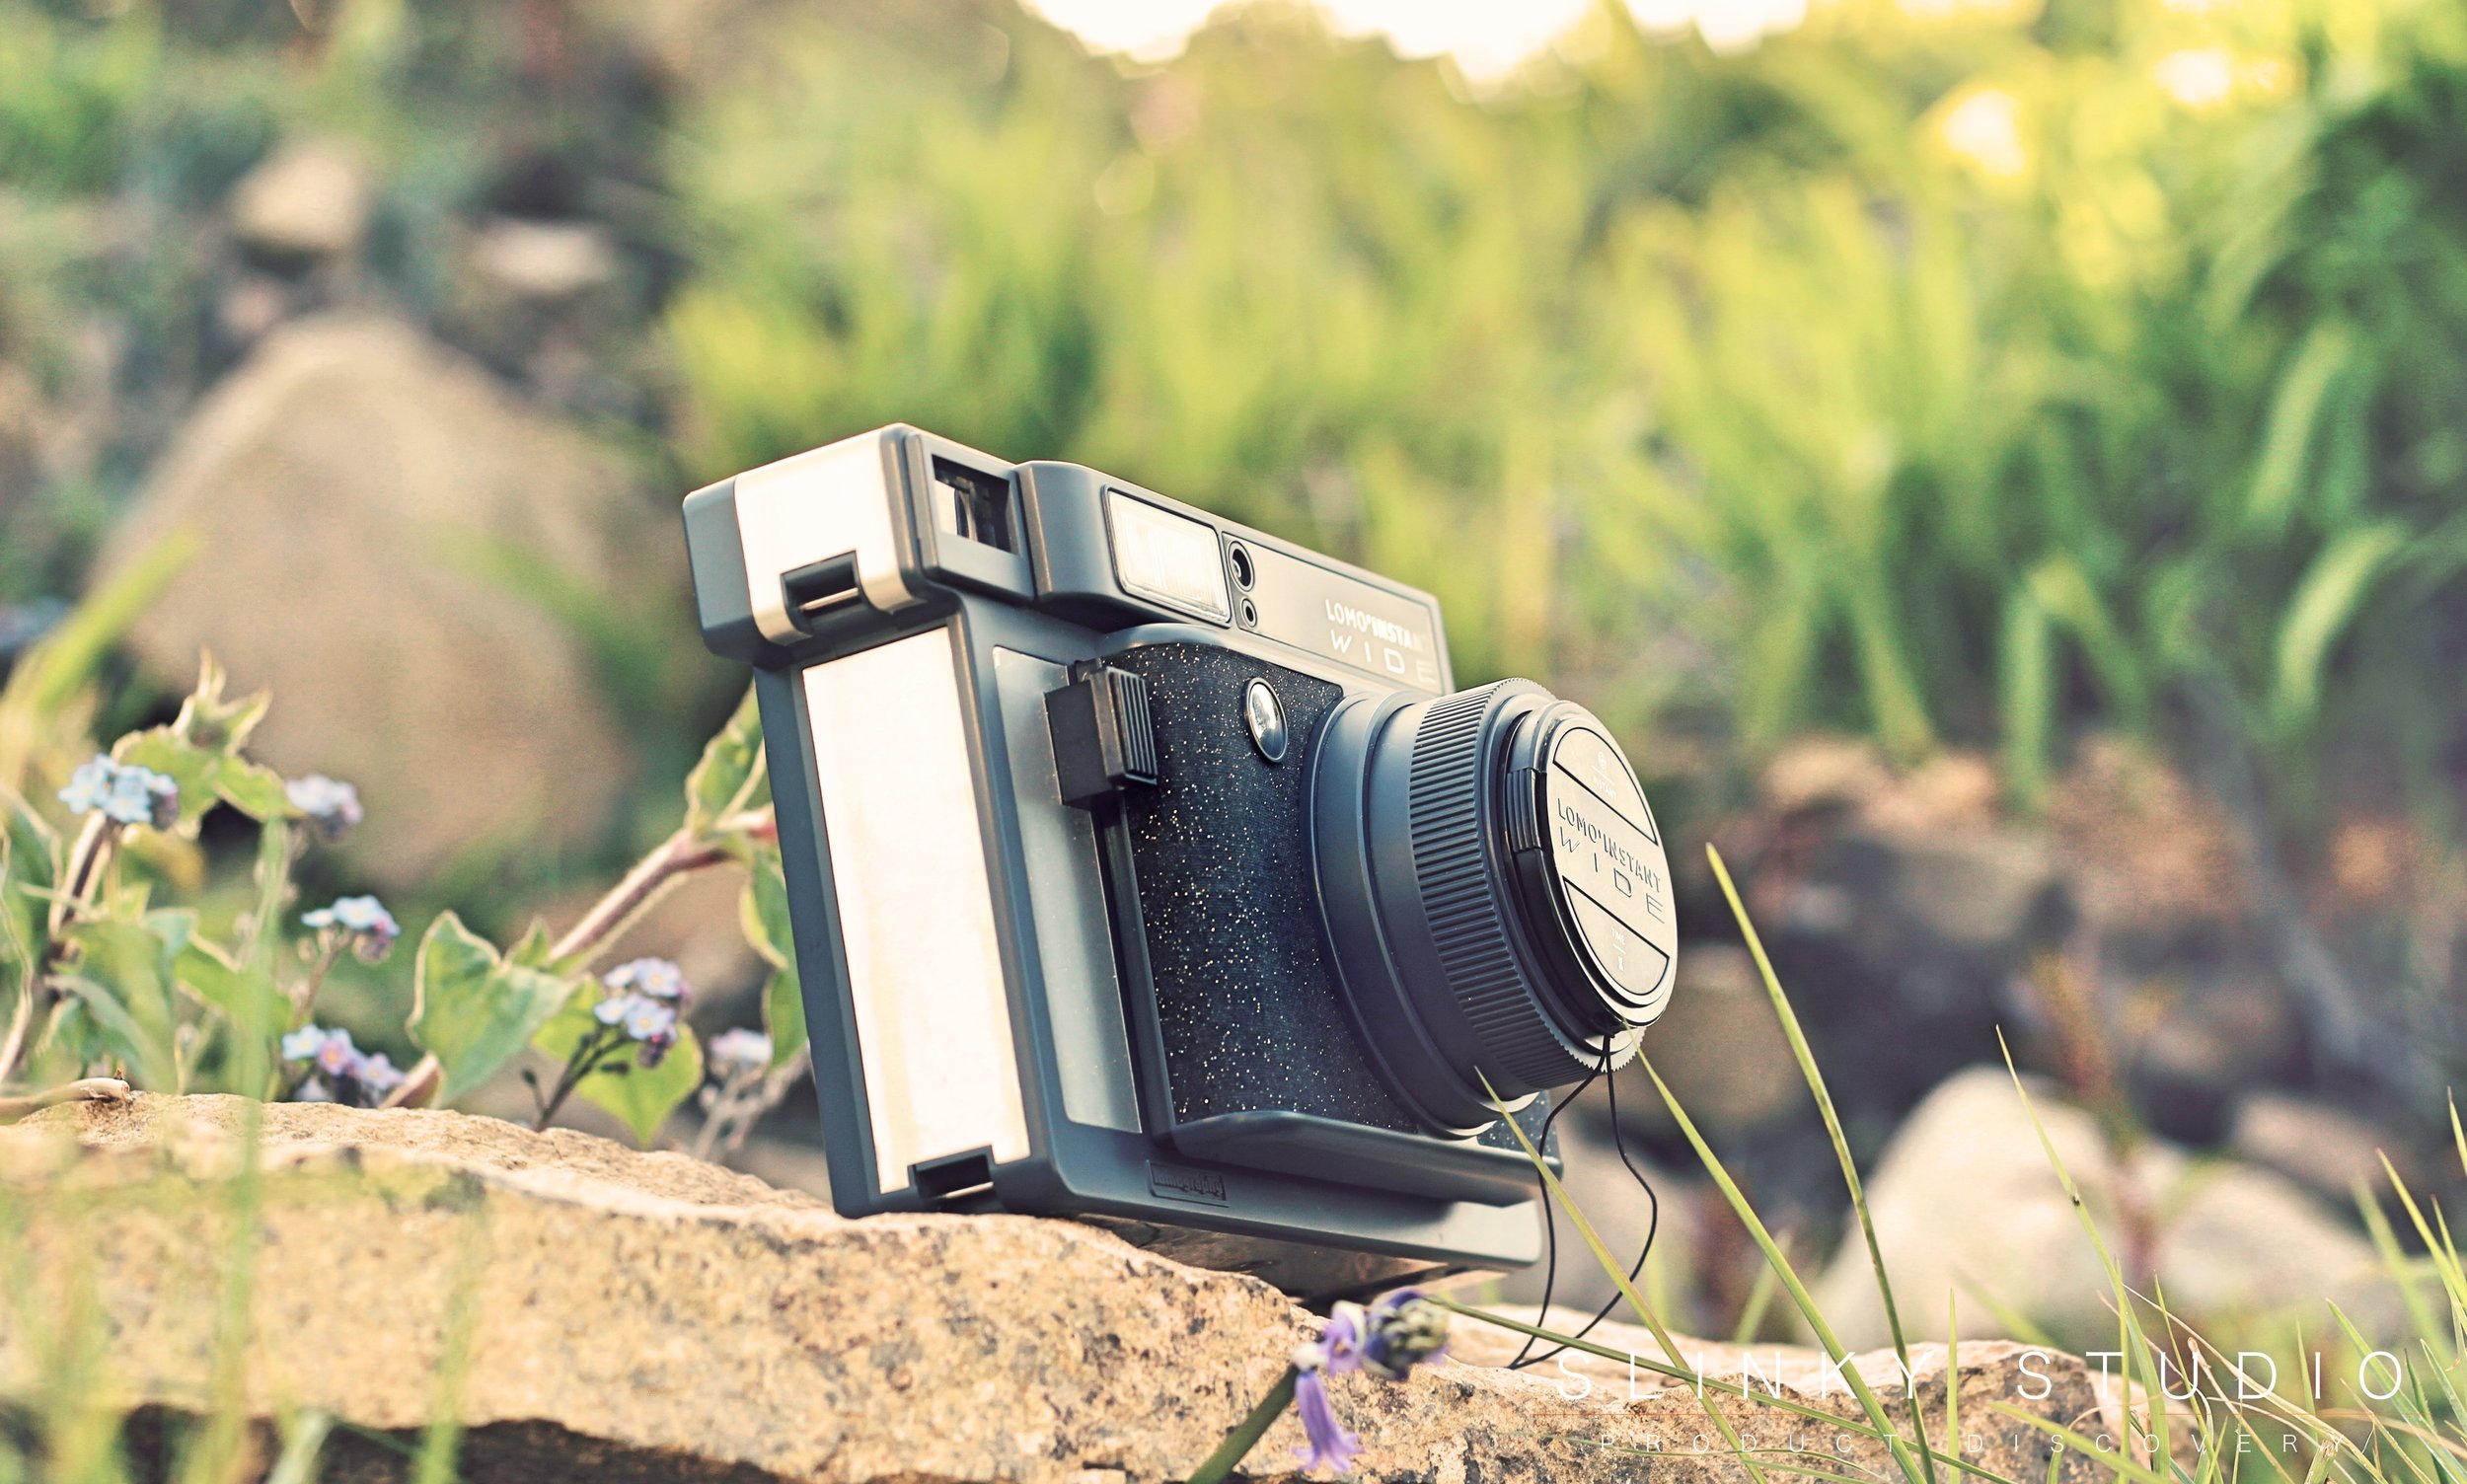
x: 1469, y: 921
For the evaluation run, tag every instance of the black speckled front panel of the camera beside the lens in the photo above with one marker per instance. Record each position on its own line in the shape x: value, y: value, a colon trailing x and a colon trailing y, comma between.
x: 1247, y: 997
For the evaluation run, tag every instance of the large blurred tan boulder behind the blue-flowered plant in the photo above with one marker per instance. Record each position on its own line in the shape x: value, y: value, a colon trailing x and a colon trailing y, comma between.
x: 376, y: 524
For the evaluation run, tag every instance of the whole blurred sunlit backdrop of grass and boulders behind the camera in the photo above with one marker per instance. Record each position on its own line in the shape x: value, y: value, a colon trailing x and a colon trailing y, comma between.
x: 2002, y: 470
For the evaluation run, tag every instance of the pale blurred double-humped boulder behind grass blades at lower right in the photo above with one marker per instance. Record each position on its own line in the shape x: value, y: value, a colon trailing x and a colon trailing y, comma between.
x: 1967, y: 1207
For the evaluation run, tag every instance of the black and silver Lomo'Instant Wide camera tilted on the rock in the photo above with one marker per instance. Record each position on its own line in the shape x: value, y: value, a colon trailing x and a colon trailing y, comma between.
x: 1148, y: 869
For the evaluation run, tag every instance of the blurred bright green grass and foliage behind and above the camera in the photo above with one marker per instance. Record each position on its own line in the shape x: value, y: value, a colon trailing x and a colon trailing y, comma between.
x: 1960, y: 378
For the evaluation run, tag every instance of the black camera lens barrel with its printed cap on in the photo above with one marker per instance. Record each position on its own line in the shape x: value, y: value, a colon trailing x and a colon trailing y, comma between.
x: 1494, y: 891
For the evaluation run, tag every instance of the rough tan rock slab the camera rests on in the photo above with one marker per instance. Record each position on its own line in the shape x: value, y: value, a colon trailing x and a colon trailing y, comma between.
x: 648, y: 1318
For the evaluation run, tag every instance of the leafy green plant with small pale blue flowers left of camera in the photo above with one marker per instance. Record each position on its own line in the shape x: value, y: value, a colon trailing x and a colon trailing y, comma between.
x: 110, y: 980
